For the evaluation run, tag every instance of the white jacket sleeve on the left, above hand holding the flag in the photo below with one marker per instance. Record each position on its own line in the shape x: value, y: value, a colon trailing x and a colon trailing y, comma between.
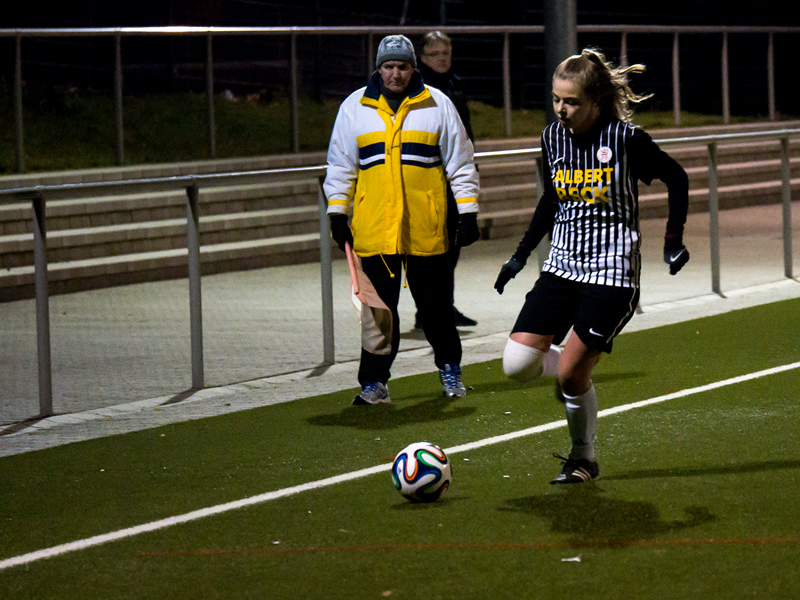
x: 342, y: 172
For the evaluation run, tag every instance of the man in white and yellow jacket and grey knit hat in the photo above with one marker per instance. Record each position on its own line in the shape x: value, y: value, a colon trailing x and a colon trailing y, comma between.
x: 395, y: 146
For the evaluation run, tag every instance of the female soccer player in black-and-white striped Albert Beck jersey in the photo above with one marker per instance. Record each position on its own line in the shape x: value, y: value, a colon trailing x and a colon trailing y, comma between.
x: 593, y: 159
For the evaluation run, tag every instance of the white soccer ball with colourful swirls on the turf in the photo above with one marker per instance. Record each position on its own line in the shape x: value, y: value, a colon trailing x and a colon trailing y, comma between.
x: 421, y: 472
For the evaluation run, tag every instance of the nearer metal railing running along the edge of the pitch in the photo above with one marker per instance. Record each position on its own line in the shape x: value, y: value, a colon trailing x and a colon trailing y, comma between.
x: 192, y: 184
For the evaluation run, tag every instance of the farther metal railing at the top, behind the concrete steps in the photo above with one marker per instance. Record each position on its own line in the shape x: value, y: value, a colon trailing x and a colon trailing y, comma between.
x: 370, y: 32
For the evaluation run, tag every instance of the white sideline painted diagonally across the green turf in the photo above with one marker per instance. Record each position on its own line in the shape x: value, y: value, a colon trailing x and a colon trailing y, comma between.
x: 313, y: 485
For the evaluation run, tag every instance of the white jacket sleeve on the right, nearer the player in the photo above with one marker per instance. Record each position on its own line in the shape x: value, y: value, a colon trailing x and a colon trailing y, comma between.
x: 458, y: 158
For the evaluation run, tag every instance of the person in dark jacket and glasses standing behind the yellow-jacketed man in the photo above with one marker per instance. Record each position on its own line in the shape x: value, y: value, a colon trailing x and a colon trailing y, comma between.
x: 437, y: 71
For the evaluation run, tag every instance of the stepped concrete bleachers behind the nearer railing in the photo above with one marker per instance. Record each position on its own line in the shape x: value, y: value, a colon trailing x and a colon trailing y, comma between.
x: 119, y: 237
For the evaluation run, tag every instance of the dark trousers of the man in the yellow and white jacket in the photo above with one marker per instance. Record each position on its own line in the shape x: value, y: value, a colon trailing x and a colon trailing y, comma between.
x: 430, y: 280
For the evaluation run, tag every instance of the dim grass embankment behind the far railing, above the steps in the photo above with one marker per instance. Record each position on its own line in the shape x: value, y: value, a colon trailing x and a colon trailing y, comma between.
x: 76, y: 130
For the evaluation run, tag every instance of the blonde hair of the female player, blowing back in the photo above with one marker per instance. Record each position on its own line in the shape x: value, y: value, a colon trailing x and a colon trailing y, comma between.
x: 602, y: 83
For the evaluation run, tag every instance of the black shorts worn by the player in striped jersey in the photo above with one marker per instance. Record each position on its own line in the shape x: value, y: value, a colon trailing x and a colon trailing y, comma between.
x: 596, y: 312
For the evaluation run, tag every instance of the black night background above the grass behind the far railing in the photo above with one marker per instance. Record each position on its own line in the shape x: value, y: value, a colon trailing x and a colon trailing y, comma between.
x: 333, y: 66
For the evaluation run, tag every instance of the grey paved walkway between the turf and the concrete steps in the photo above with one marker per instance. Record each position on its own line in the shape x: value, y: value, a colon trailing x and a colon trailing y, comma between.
x: 121, y: 356
